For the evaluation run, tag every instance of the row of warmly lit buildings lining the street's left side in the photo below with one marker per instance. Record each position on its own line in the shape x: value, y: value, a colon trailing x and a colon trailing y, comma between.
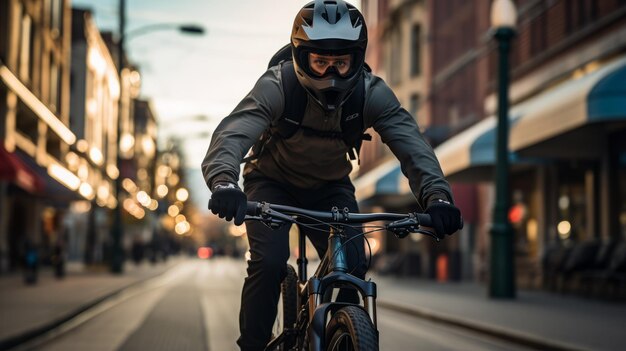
x: 63, y: 108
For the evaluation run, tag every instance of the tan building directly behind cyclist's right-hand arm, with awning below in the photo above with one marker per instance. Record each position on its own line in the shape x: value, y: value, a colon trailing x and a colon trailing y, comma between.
x: 398, y: 52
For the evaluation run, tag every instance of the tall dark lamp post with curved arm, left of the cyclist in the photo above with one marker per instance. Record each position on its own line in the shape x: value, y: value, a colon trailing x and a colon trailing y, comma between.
x: 117, y: 228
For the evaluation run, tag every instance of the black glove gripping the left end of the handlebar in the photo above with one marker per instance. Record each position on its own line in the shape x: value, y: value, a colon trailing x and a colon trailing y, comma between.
x: 228, y: 201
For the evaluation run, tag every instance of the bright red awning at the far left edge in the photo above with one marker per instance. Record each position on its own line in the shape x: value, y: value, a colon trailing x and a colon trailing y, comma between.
x: 14, y: 170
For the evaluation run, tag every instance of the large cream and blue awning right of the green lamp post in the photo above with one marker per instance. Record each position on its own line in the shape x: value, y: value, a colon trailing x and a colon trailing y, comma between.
x: 597, y: 97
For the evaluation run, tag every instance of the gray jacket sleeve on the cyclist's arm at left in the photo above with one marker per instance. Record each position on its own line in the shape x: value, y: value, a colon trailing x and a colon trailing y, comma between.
x: 236, y: 134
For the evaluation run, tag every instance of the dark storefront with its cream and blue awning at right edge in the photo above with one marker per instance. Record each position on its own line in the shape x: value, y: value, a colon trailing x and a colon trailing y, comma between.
x: 576, y: 132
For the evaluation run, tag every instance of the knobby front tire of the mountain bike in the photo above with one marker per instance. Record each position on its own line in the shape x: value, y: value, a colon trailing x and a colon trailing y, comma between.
x: 351, y: 328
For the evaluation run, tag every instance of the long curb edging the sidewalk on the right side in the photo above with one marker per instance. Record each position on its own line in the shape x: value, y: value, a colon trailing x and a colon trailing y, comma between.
x: 517, y: 337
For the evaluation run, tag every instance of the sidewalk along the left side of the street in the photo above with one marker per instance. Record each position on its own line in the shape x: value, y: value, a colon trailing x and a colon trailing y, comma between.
x: 27, y: 310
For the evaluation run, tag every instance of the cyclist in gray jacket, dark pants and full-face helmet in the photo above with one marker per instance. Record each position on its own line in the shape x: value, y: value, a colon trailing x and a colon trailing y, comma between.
x: 310, y: 169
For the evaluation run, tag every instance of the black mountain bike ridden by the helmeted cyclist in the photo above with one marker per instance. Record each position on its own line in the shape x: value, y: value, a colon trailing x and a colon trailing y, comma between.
x: 311, y: 320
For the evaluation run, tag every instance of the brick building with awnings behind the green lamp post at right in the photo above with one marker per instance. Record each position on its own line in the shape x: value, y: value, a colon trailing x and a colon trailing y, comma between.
x: 565, y: 134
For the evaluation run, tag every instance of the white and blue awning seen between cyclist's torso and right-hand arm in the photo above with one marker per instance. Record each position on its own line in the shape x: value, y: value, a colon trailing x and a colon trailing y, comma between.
x: 384, y: 185
